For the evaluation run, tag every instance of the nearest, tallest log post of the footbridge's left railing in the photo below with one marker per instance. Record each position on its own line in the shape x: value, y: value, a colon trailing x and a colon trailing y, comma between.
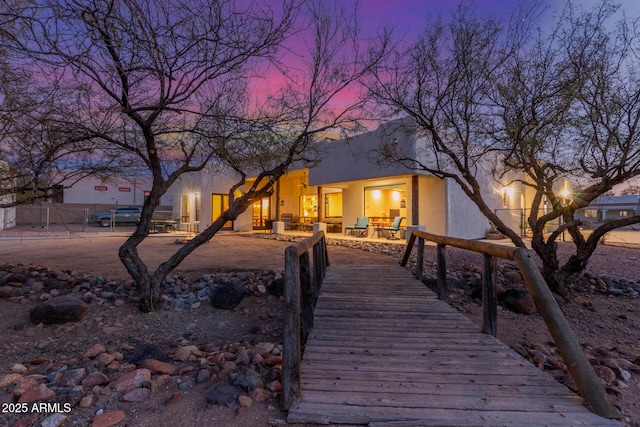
x: 291, y: 345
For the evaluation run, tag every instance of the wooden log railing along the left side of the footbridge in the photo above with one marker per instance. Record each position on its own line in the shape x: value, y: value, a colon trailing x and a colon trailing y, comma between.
x: 302, y: 282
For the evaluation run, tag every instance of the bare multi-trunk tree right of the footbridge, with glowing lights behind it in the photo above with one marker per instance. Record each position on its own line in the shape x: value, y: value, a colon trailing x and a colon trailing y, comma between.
x: 527, y: 106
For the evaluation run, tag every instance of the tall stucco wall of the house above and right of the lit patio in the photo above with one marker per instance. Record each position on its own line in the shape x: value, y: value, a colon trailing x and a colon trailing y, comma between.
x: 350, y: 164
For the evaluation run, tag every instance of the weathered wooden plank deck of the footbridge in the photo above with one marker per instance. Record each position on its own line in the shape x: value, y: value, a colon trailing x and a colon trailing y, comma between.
x: 384, y: 351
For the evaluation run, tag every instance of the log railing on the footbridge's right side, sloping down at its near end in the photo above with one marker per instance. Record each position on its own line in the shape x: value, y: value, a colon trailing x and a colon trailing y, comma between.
x: 589, y: 385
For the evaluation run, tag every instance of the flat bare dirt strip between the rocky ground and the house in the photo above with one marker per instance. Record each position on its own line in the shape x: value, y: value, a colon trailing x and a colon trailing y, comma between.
x: 227, y: 251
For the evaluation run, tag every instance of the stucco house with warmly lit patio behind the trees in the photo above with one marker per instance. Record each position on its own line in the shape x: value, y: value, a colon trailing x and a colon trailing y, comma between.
x: 346, y: 184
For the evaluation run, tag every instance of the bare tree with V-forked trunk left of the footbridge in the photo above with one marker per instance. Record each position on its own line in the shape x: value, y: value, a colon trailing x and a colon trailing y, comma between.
x: 169, y: 82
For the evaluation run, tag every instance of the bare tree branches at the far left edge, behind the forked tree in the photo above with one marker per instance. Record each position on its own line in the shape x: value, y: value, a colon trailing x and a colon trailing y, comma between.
x: 40, y: 149
